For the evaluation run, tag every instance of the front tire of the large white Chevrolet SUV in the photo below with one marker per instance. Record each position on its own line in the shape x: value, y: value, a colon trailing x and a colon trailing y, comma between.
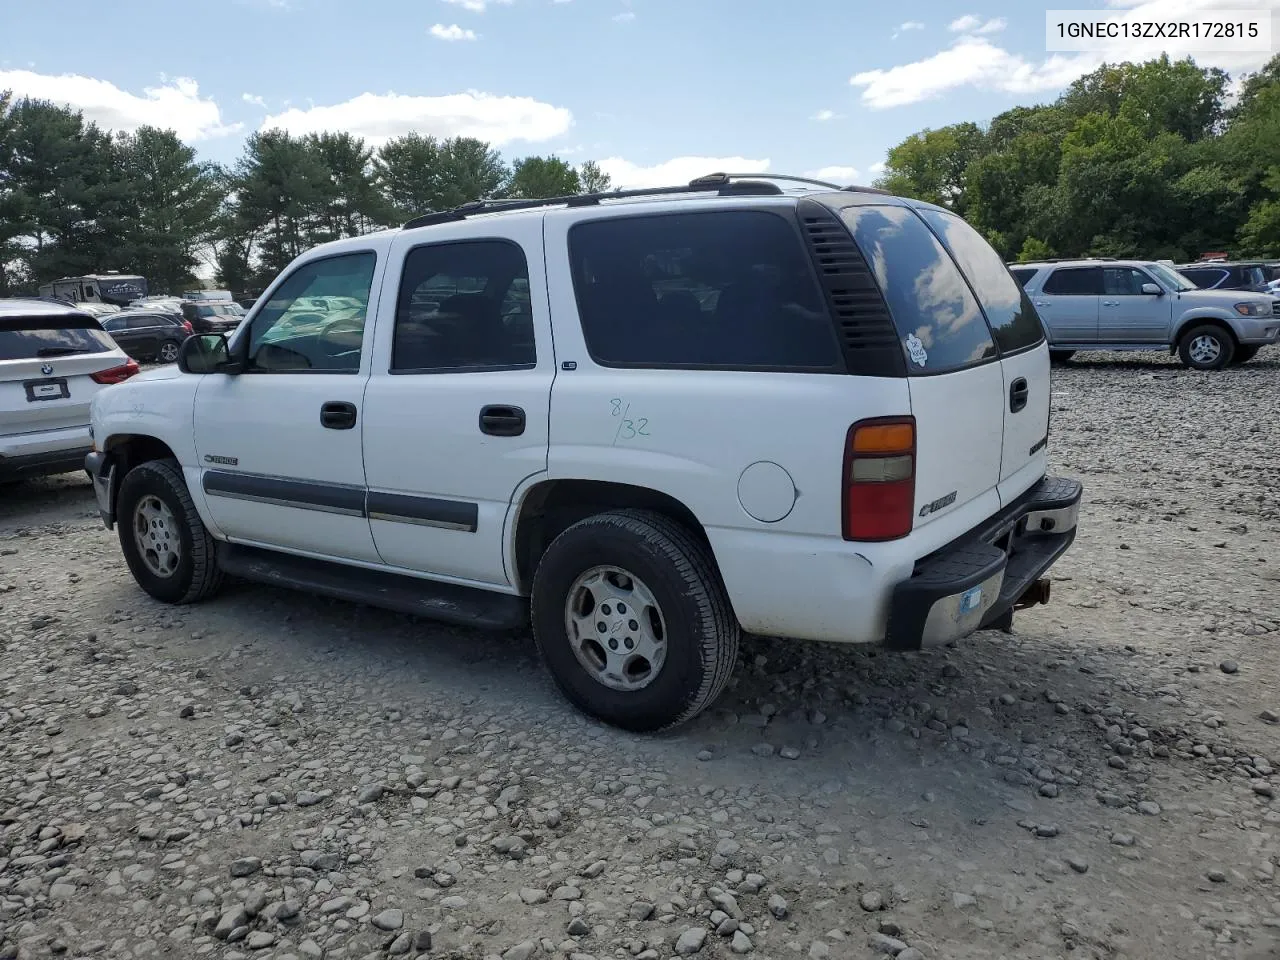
x: 186, y: 575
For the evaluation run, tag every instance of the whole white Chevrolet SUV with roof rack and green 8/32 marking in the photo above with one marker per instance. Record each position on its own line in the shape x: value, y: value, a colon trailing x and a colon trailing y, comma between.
x: 647, y: 419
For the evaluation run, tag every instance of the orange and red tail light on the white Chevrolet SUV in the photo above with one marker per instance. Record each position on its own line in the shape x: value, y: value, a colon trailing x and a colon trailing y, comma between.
x: 880, y: 479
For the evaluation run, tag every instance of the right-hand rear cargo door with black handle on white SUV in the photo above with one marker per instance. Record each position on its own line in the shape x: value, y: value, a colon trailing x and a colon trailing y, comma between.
x: 1023, y: 349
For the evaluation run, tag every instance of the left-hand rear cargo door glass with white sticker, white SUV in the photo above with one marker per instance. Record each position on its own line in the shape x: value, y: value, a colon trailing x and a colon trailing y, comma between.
x: 938, y: 318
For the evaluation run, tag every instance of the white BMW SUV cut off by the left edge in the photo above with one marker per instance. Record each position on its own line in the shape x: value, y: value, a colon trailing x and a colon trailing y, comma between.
x: 53, y: 360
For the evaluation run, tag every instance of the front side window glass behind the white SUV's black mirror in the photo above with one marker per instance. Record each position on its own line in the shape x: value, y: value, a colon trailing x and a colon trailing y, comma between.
x: 289, y: 337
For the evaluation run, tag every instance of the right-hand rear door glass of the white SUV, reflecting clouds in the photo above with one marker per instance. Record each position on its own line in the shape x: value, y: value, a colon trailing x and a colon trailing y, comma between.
x: 1011, y: 316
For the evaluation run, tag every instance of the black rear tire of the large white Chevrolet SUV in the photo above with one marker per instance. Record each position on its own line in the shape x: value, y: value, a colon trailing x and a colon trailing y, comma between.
x: 698, y: 629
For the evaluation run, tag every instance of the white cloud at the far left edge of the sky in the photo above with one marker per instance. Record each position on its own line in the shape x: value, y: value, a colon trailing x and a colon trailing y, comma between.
x: 176, y: 104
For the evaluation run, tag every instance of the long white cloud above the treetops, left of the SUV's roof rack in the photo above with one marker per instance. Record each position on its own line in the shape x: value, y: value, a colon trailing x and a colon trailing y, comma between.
x: 380, y: 117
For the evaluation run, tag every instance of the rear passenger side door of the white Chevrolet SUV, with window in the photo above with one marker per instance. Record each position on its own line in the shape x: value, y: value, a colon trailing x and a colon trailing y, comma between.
x: 458, y: 408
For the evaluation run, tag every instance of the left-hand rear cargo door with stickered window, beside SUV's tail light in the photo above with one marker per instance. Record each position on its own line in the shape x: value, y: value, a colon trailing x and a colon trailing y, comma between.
x: 956, y: 377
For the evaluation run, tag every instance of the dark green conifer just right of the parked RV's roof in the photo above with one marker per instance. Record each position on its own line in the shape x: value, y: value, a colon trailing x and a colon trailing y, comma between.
x: 176, y: 200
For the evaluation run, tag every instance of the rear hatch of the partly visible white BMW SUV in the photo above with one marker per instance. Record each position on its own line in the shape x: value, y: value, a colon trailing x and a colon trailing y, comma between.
x: 47, y: 365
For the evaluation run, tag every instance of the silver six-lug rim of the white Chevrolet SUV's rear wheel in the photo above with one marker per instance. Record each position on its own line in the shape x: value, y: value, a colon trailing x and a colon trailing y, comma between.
x: 616, y: 629
